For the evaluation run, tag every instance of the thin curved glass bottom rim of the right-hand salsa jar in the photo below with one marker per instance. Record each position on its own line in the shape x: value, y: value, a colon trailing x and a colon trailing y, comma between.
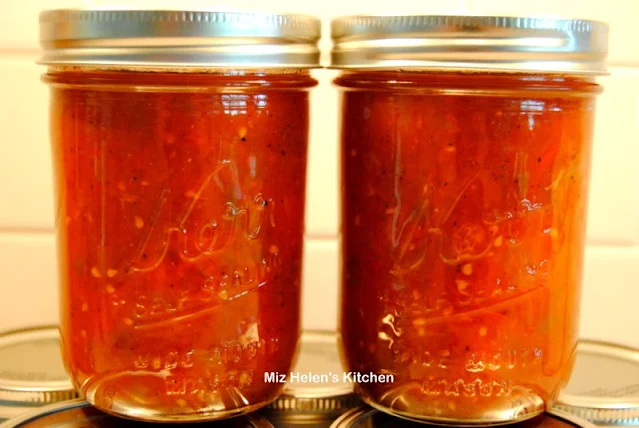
x: 488, y: 418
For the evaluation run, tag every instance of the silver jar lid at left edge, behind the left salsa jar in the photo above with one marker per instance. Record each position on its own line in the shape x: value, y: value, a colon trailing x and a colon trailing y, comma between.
x: 31, y: 370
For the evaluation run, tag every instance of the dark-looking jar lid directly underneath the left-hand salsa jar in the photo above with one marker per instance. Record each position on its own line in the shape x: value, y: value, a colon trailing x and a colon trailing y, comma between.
x: 80, y: 414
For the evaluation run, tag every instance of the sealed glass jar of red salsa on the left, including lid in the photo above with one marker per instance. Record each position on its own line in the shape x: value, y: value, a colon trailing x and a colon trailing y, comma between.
x: 179, y: 146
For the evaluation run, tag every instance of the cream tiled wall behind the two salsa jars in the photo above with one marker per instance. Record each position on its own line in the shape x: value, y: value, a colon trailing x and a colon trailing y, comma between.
x: 28, y: 289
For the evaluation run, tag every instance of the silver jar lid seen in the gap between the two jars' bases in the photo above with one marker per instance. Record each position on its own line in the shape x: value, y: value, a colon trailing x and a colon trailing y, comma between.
x: 317, y: 402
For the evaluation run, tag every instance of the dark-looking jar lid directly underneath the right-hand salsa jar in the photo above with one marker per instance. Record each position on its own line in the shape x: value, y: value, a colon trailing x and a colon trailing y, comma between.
x: 366, y: 417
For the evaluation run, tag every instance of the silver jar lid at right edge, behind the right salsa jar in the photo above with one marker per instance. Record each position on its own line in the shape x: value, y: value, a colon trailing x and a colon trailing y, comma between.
x: 604, y: 386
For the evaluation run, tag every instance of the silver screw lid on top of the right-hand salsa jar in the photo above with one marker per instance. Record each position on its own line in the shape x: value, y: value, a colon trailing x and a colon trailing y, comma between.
x: 473, y: 43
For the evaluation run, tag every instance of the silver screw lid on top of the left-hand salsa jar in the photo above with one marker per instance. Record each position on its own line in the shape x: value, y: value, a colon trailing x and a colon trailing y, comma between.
x: 166, y: 38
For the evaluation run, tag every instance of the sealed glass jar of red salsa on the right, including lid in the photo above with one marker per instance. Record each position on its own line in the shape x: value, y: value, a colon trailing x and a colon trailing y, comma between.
x: 465, y: 158
